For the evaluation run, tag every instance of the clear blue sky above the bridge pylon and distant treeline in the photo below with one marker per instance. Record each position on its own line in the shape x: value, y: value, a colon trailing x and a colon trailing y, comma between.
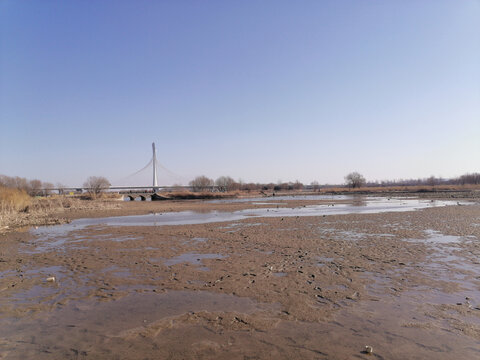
x: 261, y: 91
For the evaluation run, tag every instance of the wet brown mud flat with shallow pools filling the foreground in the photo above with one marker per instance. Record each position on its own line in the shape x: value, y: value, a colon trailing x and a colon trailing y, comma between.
x: 286, y: 278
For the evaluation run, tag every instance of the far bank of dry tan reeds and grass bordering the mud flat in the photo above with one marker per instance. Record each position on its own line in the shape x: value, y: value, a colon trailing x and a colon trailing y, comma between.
x: 61, y: 209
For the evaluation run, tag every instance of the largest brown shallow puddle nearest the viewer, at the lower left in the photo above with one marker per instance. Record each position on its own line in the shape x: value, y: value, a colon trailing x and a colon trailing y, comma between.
x: 92, y: 320
